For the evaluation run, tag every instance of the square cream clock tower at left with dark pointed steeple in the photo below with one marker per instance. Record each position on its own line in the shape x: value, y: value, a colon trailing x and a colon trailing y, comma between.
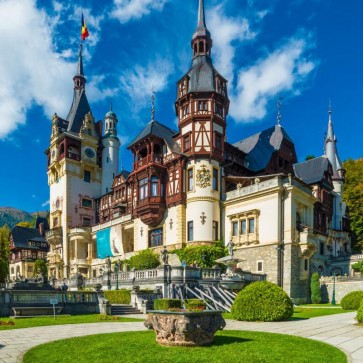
x: 74, y: 177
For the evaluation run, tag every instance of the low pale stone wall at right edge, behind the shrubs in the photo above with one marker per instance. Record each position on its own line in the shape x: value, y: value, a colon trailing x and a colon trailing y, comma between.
x: 343, y: 286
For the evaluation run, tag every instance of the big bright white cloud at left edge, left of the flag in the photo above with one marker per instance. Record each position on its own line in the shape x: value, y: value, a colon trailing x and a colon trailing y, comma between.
x: 30, y: 70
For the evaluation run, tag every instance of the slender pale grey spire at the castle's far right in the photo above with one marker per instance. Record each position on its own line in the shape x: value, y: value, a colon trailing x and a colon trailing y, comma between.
x: 331, y: 151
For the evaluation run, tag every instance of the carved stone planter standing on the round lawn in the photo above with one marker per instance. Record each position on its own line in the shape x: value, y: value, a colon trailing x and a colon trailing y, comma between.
x: 185, y: 328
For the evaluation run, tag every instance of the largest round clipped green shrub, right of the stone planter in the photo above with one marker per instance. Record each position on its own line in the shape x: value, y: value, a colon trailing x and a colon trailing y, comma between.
x: 262, y: 301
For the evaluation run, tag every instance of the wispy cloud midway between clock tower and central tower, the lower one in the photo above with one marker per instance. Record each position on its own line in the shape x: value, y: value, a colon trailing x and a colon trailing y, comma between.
x: 138, y: 82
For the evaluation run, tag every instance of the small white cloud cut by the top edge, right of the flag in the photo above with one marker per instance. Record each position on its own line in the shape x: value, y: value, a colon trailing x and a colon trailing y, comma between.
x: 126, y: 10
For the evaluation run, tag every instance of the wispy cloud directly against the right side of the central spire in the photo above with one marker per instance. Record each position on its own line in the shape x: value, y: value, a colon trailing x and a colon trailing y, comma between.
x: 227, y: 31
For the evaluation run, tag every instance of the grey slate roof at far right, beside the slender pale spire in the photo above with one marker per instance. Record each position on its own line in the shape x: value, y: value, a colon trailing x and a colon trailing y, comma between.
x: 312, y: 171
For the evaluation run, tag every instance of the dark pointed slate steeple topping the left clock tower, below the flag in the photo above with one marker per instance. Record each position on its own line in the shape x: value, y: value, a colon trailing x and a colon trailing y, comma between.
x: 80, y: 106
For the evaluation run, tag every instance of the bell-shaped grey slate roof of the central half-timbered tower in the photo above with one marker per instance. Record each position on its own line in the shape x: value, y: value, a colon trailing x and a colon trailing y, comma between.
x: 202, y: 75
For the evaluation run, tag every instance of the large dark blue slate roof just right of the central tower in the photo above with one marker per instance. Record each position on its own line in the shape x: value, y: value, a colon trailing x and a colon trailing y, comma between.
x: 260, y: 147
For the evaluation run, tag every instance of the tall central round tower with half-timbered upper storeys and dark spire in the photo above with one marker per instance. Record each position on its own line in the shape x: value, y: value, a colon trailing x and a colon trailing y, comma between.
x: 202, y: 107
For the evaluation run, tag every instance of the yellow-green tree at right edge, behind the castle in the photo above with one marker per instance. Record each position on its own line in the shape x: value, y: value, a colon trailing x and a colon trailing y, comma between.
x: 353, y: 196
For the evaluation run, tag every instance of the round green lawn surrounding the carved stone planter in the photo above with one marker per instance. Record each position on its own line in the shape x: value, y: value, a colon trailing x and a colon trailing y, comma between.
x: 140, y: 347
